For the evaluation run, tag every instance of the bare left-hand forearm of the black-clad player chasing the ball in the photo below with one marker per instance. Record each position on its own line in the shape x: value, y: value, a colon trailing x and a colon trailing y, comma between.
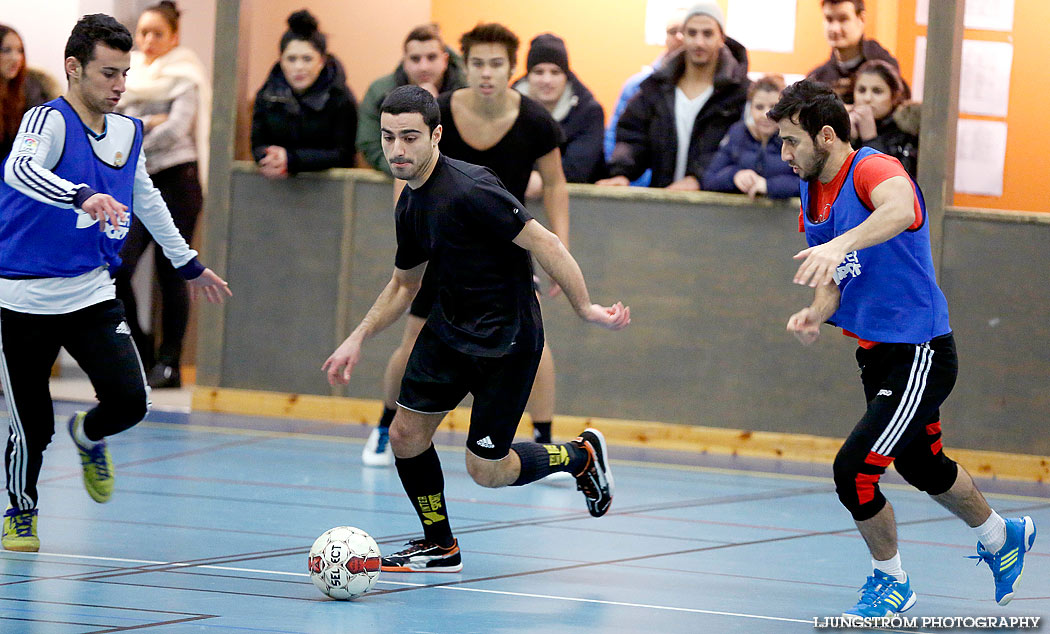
x: 394, y: 301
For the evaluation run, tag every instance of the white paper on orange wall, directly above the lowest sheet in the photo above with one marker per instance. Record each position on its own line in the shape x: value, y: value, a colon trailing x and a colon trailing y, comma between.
x: 984, y: 83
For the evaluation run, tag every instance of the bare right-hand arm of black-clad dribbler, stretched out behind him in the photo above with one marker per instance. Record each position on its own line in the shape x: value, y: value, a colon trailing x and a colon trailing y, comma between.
x: 555, y: 259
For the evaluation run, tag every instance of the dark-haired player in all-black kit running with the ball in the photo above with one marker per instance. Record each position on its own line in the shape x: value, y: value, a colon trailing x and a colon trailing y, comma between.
x: 484, y: 335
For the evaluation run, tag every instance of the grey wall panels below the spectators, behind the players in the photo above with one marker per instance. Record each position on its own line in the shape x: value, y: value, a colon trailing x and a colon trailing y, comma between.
x: 708, y: 279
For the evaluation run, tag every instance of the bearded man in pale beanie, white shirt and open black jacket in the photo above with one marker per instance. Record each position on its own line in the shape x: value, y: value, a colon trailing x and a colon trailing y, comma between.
x: 681, y: 114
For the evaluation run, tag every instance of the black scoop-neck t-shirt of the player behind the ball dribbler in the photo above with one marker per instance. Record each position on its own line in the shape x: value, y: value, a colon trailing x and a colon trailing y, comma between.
x: 534, y: 135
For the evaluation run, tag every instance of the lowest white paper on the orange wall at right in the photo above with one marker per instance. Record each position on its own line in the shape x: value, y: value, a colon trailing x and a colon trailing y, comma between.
x: 980, y: 157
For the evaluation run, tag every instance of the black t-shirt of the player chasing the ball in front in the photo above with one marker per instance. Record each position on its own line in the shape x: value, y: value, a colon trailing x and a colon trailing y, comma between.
x: 463, y: 222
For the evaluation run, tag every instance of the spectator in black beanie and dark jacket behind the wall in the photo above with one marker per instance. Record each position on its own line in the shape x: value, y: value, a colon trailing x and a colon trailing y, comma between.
x: 550, y: 81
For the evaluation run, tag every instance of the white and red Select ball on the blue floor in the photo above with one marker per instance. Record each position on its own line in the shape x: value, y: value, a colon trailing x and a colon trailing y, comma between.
x: 345, y: 562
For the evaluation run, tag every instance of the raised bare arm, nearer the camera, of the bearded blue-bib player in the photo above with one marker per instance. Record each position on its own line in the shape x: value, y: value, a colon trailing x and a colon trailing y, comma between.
x: 894, y: 202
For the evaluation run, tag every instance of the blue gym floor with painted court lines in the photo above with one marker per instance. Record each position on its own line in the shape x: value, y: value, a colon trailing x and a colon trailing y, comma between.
x: 214, y: 515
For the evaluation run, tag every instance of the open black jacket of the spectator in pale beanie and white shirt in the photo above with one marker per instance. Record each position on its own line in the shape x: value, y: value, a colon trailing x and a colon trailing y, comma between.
x: 646, y: 136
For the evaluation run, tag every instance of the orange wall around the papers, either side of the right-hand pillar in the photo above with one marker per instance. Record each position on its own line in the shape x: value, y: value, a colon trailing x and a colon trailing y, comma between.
x: 1027, y: 160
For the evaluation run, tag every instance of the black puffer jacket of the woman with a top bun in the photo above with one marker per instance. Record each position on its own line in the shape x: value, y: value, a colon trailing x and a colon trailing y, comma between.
x: 318, y: 128
